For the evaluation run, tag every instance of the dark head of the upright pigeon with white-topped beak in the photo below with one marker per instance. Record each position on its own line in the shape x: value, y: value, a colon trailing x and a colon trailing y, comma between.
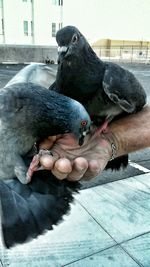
x: 70, y: 43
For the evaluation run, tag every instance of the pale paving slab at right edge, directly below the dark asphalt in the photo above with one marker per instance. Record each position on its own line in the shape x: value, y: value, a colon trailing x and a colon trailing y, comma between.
x: 121, y: 207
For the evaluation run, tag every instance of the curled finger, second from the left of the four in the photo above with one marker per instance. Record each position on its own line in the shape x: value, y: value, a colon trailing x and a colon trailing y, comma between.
x: 62, y: 168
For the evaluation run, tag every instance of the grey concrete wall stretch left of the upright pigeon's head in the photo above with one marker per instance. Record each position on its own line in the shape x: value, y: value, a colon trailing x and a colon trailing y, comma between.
x: 21, y: 53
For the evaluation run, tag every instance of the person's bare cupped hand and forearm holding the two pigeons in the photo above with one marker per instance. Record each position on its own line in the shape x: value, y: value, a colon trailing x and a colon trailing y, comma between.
x: 70, y: 161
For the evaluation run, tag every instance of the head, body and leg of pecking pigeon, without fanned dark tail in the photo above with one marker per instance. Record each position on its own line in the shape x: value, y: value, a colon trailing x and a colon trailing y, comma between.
x: 29, y: 113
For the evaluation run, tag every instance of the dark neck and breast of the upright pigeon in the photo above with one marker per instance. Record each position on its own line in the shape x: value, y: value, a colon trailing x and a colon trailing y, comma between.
x: 78, y: 78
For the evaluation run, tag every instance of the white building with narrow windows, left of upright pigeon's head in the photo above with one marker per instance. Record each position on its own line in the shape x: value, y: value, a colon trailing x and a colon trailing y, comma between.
x: 30, y: 21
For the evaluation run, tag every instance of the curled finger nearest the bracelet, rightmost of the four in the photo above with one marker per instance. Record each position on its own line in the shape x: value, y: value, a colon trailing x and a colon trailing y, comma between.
x: 94, y: 169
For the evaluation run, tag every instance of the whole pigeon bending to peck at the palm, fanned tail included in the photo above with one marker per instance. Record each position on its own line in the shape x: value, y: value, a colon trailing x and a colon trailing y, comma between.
x: 29, y: 113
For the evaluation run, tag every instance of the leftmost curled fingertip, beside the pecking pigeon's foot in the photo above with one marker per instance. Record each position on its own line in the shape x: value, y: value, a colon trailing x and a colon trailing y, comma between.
x: 48, y: 161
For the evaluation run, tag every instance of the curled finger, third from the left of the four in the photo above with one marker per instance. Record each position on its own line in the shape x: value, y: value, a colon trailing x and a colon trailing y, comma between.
x: 80, y: 166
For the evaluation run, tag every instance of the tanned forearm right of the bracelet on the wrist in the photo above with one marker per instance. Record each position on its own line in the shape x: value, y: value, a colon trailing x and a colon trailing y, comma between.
x: 131, y: 133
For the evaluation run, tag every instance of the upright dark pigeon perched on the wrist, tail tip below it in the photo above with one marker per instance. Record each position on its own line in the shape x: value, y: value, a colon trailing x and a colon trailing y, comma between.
x: 105, y: 89
